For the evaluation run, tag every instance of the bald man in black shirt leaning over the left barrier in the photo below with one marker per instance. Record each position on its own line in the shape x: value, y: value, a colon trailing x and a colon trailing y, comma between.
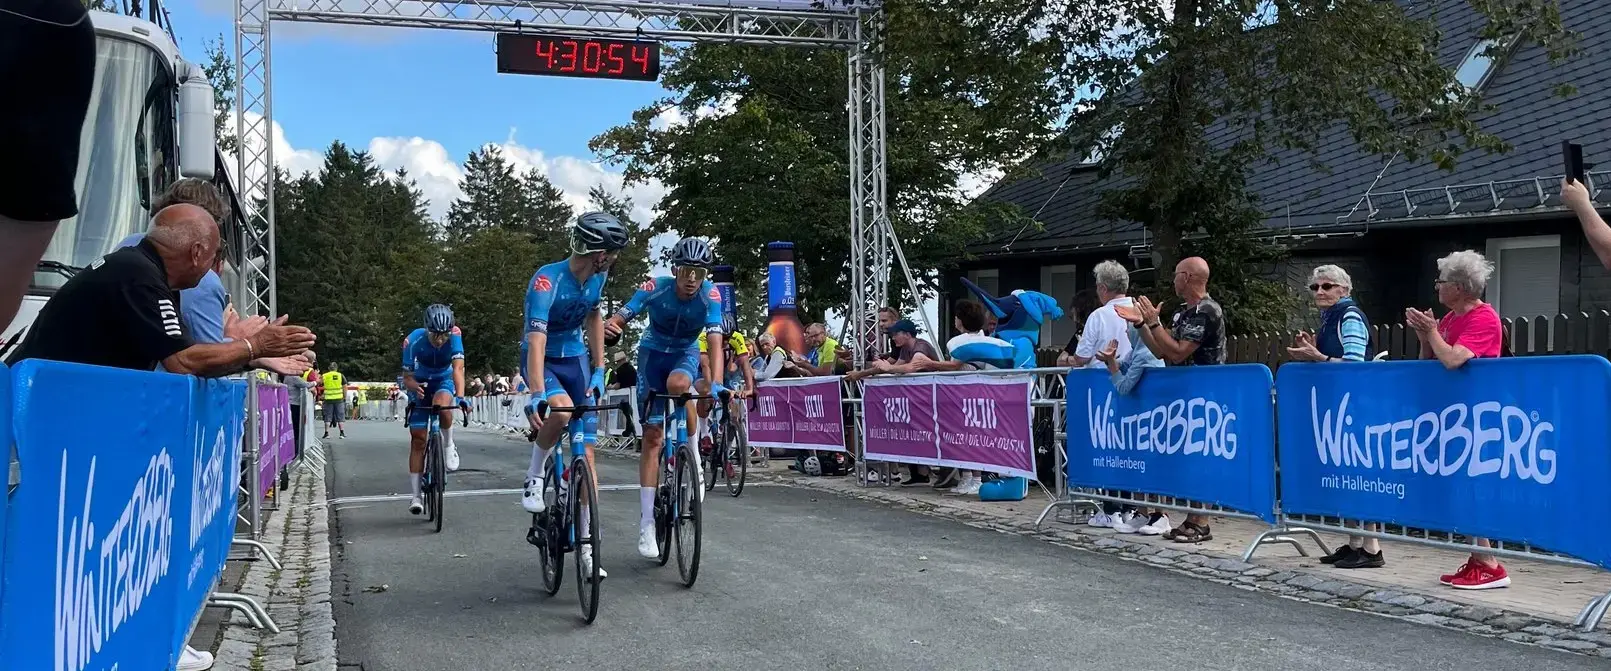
x: 123, y: 311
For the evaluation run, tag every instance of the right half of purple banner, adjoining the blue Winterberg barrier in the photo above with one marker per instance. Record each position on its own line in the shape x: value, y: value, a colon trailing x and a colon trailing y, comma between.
x: 985, y: 424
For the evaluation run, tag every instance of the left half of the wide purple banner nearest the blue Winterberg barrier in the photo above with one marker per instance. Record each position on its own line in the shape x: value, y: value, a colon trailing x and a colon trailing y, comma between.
x: 900, y: 421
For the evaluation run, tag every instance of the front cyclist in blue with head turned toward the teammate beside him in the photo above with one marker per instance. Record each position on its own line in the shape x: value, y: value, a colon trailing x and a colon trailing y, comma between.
x: 561, y: 300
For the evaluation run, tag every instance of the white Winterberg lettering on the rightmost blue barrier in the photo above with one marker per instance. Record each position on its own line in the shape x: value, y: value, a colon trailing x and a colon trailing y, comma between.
x: 1473, y: 440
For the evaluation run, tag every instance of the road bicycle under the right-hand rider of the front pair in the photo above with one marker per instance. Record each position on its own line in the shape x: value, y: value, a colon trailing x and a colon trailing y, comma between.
x: 679, y: 501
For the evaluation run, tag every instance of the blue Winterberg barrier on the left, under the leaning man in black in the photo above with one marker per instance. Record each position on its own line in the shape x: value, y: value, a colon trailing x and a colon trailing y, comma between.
x: 123, y: 517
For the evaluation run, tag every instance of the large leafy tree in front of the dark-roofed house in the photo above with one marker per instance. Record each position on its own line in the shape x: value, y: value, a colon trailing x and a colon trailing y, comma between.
x: 1261, y: 76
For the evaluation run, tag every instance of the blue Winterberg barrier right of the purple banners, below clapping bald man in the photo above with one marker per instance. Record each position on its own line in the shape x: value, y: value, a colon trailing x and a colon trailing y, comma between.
x: 1201, y: 434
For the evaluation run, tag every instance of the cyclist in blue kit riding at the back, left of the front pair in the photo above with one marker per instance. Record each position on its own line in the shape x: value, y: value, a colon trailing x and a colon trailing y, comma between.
x: 433, y: 374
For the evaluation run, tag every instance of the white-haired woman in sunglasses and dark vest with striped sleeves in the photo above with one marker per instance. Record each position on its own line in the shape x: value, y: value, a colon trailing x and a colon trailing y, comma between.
x: 1344, y: 337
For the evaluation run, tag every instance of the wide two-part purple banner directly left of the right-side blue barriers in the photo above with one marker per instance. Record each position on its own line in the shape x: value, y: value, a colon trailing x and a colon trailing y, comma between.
x: 977, y: 422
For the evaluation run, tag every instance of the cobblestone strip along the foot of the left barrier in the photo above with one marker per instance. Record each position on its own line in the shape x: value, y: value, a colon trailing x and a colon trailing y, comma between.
x: 297, y: 596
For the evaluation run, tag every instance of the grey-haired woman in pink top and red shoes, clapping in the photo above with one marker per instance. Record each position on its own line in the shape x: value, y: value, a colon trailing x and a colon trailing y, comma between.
x: 1470, y: 331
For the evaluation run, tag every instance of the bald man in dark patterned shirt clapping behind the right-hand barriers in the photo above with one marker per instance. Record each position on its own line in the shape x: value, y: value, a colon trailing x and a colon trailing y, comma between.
x: 1195, y: 339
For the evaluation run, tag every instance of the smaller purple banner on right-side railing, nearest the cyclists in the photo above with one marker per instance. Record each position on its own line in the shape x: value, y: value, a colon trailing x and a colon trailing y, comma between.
x: 798, y: 414
